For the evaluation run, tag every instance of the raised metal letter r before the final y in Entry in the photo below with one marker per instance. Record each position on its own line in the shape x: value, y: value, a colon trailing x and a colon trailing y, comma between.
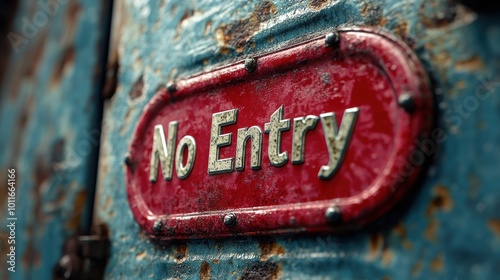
x: 300, y: 127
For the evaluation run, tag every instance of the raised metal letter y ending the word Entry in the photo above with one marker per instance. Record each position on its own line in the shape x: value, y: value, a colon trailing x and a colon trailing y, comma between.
x: 337, y: 139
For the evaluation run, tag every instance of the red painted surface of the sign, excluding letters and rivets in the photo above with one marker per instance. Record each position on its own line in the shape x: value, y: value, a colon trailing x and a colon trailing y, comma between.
x: 368, y: 70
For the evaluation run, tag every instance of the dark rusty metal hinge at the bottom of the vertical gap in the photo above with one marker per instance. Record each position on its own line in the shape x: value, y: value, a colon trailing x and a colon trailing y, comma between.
x: 84, y: 256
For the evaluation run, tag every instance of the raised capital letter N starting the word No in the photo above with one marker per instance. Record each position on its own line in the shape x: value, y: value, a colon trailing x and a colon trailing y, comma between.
x: 163, y: 152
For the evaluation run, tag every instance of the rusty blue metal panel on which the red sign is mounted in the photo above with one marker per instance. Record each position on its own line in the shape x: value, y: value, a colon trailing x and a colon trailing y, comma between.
x: 449, y: 229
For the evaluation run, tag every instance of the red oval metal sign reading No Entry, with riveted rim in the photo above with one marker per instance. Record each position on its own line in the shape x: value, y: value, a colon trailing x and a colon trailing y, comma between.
x: 320, y: 136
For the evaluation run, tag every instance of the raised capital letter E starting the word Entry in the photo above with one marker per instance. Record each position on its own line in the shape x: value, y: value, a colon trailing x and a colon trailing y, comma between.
x: 217, y: 140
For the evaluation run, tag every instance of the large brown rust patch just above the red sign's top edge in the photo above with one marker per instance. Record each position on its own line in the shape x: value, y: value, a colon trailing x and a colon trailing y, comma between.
x: 237, y: 34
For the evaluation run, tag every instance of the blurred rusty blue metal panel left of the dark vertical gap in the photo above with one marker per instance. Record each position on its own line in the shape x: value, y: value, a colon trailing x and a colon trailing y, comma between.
x: 50, y: 115
